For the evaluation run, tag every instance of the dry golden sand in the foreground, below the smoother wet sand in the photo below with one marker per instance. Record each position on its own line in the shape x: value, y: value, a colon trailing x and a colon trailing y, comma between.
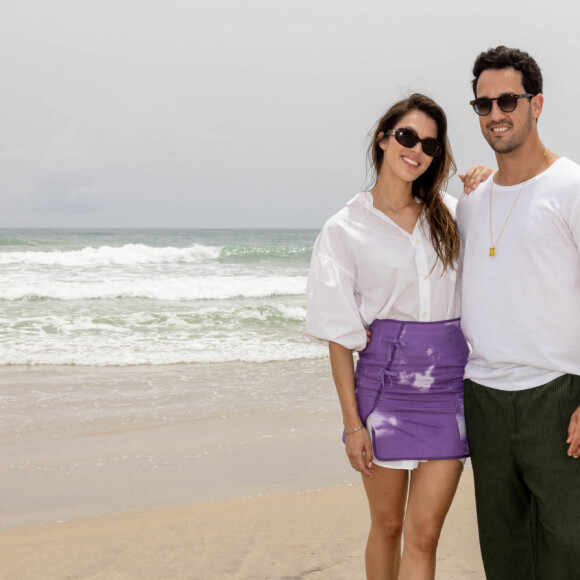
x: 318, y: 534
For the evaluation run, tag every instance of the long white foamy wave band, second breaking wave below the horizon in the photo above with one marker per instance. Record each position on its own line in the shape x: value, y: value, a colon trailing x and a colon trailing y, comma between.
x: 173, y: 289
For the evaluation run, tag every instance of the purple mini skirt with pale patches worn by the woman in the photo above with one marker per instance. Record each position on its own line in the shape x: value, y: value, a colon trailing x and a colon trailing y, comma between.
x: 409, y: 389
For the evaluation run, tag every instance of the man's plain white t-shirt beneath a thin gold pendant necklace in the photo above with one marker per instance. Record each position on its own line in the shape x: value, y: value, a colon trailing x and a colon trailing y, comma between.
x: 521, y: 307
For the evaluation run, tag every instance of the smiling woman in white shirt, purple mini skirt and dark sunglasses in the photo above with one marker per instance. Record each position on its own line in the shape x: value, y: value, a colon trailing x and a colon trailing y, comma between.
x: 387, y: 262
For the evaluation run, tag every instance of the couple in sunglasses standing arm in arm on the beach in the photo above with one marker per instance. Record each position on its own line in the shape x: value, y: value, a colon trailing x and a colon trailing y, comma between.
x: 395, y: 262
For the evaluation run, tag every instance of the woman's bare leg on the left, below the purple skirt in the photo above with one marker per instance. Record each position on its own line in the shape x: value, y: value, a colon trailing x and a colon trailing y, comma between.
x: 387, y: 494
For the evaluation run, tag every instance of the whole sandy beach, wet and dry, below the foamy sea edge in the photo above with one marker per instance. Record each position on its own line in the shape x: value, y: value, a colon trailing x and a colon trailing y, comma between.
x: 161, y: 491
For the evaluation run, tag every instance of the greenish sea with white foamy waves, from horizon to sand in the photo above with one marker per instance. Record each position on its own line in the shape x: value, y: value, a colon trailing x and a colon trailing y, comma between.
x: 101, y: 297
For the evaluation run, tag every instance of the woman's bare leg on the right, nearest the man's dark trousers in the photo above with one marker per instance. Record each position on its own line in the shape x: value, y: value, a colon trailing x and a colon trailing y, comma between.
x: 431, y: 491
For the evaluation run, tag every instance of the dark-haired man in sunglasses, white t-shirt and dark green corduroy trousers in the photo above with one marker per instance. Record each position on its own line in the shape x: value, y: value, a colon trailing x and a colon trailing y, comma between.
x: 520, y: 234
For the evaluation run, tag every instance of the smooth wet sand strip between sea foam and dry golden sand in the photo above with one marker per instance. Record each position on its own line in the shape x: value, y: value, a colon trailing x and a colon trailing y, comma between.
x: 89, y: 442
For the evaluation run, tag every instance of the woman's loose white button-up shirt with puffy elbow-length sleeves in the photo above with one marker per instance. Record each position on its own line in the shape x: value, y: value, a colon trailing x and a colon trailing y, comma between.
x: 365, y: 267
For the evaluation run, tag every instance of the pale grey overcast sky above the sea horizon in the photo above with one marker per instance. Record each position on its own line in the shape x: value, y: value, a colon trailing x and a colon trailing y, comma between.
x: 242, y: 113
